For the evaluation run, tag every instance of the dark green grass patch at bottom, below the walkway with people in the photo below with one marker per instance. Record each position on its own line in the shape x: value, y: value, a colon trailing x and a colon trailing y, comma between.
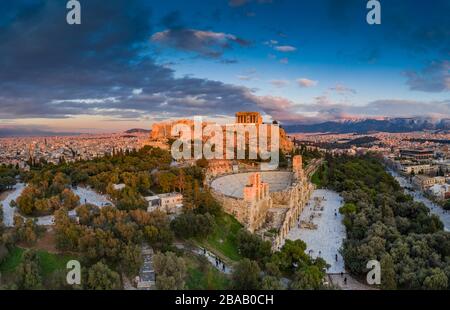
x: 202, y: 276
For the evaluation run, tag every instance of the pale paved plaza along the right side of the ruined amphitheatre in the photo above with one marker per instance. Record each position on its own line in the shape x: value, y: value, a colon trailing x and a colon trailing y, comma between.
x: 326, y: 240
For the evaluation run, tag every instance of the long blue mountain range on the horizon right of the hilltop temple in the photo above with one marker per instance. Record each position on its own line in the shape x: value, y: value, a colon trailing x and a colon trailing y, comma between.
x: 394, y: 125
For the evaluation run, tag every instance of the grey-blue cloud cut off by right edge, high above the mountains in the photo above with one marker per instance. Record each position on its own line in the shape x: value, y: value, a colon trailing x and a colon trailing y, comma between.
x: 435, y: 77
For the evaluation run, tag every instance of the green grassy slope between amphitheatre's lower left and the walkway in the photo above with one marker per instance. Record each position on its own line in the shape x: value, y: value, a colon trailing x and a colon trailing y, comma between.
x: 223, y: 240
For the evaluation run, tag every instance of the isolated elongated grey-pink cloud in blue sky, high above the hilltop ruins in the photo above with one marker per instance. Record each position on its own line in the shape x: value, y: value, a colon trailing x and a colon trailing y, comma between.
x: 205, y: 43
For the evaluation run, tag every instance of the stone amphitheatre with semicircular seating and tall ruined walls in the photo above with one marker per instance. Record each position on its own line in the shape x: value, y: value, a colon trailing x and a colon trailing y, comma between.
x: 268, y: 203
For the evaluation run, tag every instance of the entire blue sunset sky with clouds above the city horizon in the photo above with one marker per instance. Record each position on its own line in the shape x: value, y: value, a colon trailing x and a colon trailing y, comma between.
x: 132, y: 63
